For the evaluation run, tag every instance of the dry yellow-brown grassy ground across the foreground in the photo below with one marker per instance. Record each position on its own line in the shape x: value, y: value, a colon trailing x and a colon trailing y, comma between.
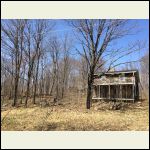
x: 72, y: 116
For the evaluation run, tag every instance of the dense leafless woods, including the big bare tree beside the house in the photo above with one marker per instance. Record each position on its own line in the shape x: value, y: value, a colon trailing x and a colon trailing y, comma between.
x: 35, y: 62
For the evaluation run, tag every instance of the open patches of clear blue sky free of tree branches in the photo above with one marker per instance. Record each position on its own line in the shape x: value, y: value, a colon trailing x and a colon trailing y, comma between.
x: 141, y: 33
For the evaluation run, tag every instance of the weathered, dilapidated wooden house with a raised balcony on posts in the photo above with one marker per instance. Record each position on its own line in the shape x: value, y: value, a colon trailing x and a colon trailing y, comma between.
x: 117, y: 85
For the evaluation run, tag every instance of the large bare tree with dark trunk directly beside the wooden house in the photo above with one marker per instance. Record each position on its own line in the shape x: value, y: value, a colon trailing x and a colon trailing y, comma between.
x: 95, y: 36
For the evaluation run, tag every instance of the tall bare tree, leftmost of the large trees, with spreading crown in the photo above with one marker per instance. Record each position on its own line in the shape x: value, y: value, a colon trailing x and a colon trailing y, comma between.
x: 14, y: 31
